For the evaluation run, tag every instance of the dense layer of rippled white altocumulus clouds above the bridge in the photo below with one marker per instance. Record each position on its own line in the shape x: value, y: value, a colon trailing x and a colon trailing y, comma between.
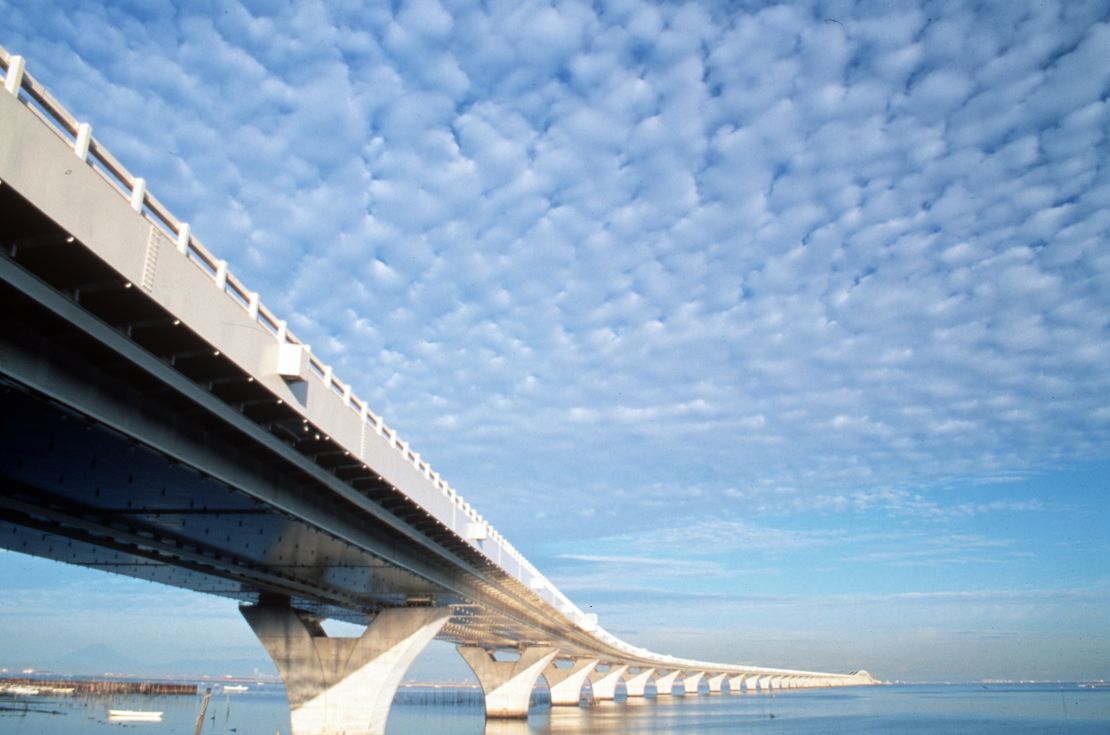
x: 820, y: 248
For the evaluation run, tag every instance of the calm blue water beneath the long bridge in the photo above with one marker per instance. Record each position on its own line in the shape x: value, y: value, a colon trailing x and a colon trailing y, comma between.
x: 921, y: 710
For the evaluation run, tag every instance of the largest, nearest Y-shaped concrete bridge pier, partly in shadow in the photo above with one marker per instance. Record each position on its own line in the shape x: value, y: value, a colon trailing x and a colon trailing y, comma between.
x: 344, y: 686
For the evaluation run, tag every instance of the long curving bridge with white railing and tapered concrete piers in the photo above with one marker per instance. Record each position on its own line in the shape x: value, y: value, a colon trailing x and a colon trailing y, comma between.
x: 159, y: 421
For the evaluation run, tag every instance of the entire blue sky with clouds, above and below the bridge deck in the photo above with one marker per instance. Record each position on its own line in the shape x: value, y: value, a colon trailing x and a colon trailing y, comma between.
x: 774, y: 335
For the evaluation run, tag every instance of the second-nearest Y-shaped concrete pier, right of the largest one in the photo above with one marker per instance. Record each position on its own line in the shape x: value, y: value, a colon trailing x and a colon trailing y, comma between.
x: 508, y: 684
